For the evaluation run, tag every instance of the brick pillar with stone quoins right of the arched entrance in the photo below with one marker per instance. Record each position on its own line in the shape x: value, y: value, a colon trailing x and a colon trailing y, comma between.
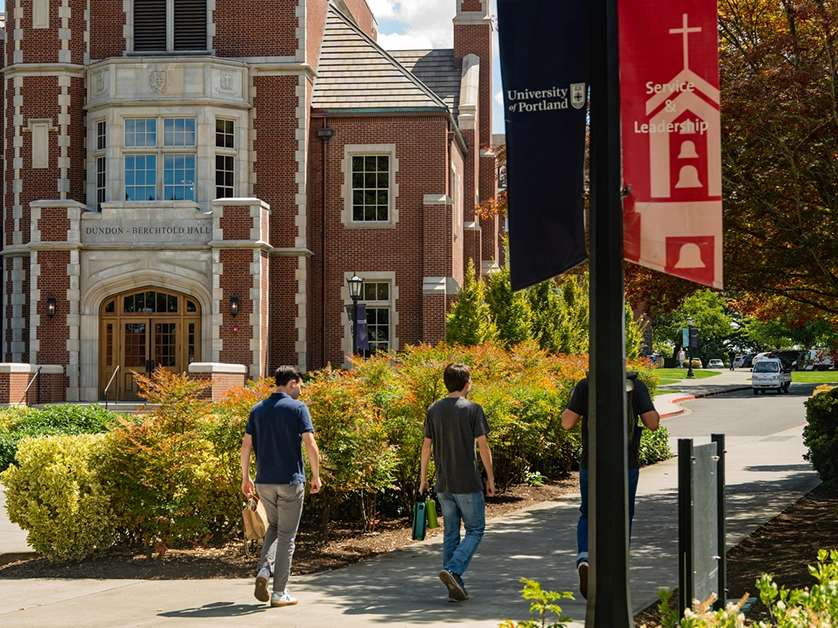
x: 240, y: 269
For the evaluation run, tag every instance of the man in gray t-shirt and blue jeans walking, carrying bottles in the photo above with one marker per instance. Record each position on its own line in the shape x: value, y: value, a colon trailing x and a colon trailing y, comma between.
x: 452, y: 427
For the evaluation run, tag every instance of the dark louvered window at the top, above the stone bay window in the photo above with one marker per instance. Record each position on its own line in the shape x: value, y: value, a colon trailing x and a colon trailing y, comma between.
x: 170, y: 25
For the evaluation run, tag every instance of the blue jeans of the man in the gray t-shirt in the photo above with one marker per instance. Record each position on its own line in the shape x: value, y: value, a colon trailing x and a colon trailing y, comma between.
x: 471, y: 509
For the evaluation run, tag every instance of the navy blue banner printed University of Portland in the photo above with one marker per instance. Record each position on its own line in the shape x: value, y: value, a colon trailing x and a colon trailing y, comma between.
x: 544, y: 67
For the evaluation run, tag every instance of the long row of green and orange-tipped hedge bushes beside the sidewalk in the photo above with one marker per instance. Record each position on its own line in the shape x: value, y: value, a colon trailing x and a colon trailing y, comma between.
x: 172, y: 475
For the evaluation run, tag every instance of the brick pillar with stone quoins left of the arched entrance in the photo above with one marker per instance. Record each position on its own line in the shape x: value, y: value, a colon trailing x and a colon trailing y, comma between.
x: 55, y: 242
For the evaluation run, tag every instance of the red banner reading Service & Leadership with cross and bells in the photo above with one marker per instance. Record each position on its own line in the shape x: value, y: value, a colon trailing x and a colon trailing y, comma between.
x: 669, y: 96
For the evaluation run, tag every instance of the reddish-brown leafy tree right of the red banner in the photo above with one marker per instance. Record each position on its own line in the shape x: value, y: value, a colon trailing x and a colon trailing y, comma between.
x: 779, y: 86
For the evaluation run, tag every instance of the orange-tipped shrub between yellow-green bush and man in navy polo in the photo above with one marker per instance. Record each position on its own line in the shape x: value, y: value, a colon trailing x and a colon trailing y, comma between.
x: 161, y: 471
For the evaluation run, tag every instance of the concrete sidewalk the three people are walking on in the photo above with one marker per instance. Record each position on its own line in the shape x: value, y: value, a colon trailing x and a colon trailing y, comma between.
x: 401, y: 588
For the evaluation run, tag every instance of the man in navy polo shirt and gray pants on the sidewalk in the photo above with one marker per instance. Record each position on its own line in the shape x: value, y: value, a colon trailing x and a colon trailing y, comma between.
x: 275, y: 432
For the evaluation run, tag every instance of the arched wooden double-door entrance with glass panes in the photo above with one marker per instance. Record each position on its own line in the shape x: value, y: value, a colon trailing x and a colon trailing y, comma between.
x: 144, y: 329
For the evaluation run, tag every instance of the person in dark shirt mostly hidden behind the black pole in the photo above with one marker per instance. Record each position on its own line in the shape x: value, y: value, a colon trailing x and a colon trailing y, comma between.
x: 577, y: 408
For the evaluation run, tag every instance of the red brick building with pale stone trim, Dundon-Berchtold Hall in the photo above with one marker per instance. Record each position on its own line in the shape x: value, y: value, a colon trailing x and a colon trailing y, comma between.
x: 171, y: 163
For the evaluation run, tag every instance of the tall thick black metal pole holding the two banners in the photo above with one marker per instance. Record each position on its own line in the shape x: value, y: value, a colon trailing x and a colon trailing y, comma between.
x: 609, y: 598
